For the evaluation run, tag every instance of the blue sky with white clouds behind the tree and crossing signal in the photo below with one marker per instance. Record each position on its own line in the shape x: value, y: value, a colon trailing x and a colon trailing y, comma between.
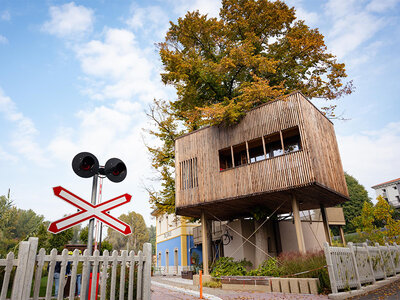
x: 78, y: 76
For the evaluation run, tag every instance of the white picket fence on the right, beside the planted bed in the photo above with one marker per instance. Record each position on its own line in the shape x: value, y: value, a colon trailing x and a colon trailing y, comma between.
x: 354, y: 266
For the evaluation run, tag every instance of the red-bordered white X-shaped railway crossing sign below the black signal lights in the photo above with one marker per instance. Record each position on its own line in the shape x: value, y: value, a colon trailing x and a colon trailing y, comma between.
x: 88, y: 211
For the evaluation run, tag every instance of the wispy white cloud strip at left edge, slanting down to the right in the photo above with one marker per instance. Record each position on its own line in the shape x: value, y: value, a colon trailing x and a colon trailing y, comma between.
x: 23, y: 137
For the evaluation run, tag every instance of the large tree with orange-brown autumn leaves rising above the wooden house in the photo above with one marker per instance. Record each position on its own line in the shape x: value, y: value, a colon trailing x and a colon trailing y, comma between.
x: 222, y: 67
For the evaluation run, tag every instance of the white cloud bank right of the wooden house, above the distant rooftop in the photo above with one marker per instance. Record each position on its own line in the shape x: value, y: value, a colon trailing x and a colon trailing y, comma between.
x: 372, y: 156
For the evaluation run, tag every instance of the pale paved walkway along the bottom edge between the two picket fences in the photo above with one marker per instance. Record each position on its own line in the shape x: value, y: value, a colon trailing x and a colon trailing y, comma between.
x: 166, y: 288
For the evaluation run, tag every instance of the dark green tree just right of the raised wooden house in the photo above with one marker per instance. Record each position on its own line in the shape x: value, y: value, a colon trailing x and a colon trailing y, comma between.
x: 352, y: 209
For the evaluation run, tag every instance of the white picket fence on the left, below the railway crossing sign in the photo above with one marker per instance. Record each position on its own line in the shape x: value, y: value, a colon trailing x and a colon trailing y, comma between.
x: 29, y: 266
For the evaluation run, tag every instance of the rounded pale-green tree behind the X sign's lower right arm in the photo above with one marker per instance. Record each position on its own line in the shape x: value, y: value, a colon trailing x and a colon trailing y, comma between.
x: 134, y: 241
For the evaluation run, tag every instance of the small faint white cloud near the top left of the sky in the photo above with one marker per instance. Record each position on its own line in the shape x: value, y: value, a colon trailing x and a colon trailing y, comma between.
x: 69, y: 20
